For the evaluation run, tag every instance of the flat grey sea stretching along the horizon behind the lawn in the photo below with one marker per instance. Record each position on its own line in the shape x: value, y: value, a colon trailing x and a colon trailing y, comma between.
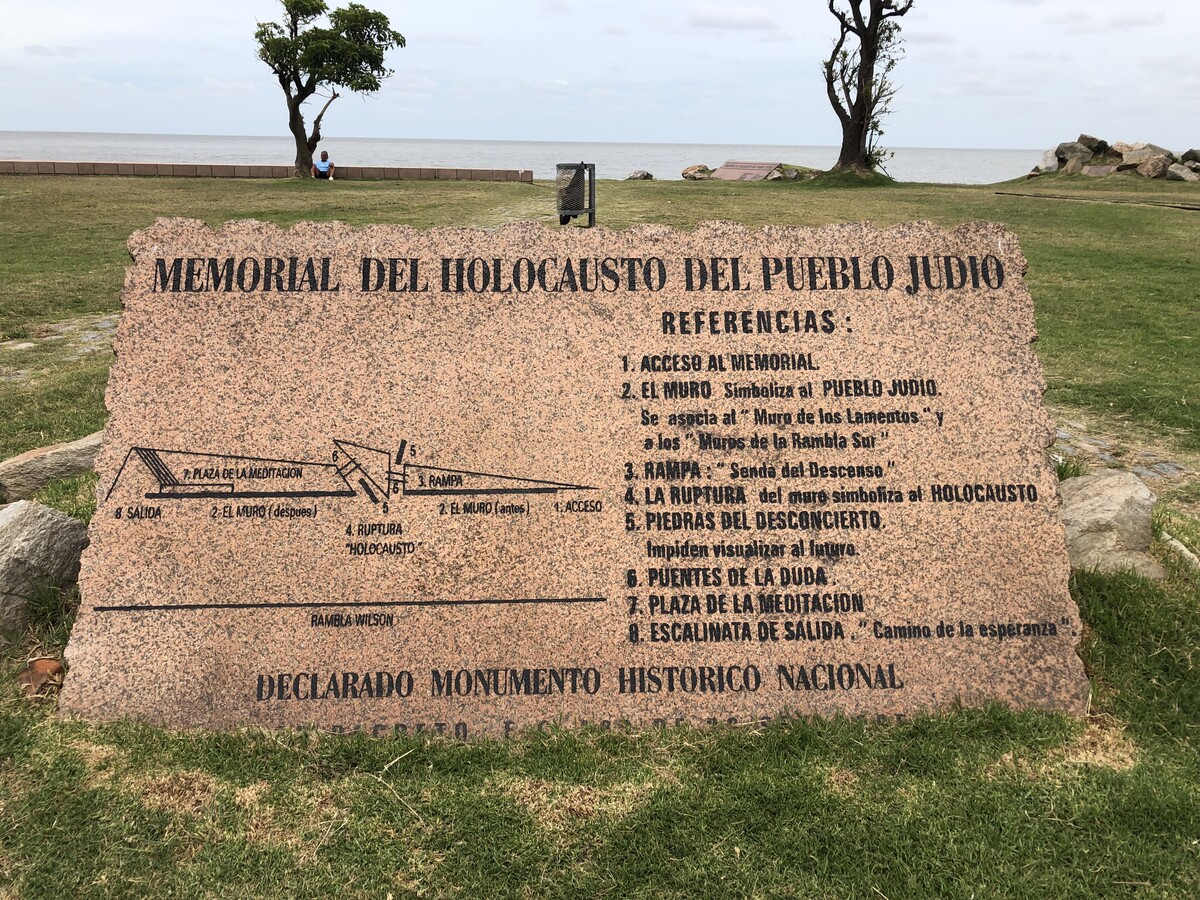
x: 613, y: 160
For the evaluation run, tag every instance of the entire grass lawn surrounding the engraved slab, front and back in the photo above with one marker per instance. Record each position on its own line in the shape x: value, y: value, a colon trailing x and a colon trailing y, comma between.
x: 970, y: 803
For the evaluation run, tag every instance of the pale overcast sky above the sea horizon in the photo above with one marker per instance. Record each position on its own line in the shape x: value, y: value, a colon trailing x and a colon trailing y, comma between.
x: 979, y: 74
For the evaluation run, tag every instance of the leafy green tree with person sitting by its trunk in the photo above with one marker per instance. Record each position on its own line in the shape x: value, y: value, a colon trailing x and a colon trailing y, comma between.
x: 307, y: 59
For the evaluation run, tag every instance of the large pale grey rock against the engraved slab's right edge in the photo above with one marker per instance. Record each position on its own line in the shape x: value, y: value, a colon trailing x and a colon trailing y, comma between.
x: 1108, y: 517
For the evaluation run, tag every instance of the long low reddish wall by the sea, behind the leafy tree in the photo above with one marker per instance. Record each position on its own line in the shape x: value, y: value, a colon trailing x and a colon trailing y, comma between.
x: 345, y: 173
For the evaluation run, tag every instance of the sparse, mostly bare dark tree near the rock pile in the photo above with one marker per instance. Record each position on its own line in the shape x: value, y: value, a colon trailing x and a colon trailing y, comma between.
x: 859, y: 77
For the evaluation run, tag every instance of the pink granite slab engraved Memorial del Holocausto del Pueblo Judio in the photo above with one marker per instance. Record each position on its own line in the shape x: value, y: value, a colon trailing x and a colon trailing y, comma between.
x: 471, y: 483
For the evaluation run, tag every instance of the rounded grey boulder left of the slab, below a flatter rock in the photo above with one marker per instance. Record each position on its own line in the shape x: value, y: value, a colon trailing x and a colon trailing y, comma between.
x: 39, y: 548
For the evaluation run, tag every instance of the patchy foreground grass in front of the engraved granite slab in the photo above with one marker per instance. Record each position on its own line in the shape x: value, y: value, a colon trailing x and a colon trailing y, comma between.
x: 985, y: 803
